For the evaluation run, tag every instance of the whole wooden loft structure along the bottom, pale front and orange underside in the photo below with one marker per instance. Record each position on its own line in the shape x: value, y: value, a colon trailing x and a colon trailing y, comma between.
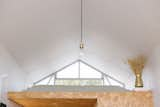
x: 82, y: 99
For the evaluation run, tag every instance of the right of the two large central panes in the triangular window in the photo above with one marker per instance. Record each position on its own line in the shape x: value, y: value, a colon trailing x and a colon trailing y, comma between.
x: 88, y: 72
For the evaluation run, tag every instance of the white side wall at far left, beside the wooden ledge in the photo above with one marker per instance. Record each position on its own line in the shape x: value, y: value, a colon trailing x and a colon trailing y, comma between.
x: 11, y: 76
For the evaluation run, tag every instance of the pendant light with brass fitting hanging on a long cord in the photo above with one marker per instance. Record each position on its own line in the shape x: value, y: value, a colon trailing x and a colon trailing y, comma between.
x: 81, y: 38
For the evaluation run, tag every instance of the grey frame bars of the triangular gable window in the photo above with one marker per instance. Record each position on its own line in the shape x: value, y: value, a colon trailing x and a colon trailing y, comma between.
x: 104, y: 76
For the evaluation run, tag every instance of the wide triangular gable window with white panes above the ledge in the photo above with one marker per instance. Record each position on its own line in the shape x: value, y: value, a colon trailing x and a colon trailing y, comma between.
x: 79, y: 73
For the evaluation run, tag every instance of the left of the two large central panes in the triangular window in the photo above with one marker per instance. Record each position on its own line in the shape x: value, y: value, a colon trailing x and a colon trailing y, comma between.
x: 69, y: 72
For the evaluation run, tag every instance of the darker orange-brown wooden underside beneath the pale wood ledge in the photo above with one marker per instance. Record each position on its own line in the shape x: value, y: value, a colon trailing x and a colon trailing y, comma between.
x: 40, y: 102
